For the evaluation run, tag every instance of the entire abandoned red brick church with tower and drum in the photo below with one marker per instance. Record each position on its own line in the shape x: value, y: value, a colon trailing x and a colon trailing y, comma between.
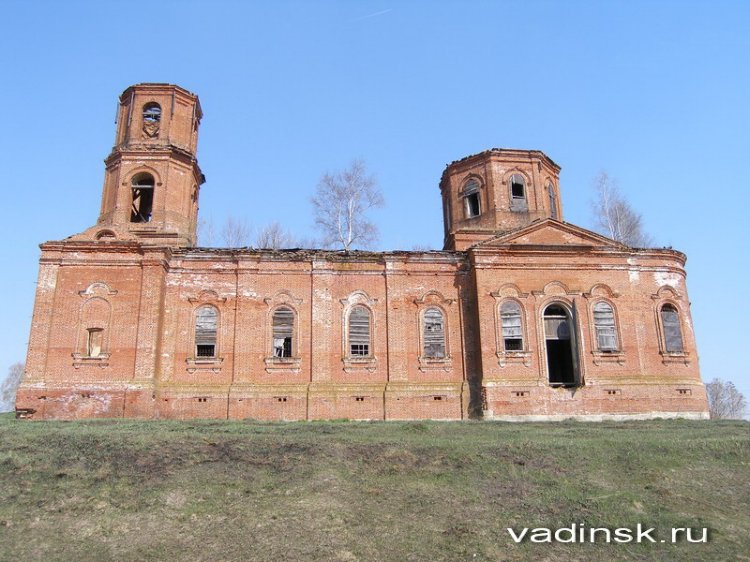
x: 520, y: 316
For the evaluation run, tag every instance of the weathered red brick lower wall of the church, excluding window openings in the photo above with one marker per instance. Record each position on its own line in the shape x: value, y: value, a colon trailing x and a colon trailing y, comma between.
x: 150, y: 368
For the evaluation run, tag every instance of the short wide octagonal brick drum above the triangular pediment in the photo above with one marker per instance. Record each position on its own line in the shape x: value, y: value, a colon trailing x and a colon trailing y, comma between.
x: 496, y: 191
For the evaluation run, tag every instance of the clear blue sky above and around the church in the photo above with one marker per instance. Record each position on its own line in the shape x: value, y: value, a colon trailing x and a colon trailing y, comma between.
x: 655, y: 93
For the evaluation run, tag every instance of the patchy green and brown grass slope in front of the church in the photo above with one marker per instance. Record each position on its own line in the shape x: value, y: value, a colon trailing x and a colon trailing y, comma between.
x: 205, y: 490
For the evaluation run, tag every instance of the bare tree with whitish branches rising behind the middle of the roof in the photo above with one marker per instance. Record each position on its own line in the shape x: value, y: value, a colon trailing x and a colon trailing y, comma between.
x: 341, y: 202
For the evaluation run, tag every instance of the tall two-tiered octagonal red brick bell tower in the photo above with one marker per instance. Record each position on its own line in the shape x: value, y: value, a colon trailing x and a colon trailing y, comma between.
x: 152, y: 179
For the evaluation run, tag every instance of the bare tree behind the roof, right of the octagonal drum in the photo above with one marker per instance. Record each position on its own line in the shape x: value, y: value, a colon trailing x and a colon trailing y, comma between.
x: 614, y: 217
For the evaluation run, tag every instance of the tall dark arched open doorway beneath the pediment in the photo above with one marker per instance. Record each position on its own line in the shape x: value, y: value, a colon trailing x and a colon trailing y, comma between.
x: 561, y: 367
